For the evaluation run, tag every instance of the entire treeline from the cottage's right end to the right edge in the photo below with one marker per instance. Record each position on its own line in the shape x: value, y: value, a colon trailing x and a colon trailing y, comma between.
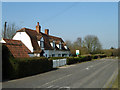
x: 90, y: 45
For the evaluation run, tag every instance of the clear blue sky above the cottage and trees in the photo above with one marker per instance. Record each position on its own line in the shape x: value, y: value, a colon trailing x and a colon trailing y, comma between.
x: 68, y: 20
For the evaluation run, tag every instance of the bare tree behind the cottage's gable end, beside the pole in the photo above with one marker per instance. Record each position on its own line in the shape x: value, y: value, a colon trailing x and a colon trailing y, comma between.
x: 10, y: 30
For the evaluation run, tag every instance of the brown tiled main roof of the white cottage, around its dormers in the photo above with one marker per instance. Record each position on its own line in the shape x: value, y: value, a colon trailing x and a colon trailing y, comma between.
x: 34, y: 36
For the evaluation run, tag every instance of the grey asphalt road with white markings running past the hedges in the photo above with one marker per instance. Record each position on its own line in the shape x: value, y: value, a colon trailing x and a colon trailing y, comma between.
x: 93, y: 74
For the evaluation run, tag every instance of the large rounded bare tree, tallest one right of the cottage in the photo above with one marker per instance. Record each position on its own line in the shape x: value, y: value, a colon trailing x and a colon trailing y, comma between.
x: 93, y: 44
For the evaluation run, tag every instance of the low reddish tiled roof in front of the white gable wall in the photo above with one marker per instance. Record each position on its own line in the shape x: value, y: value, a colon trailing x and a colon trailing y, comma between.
x: 17, y: 48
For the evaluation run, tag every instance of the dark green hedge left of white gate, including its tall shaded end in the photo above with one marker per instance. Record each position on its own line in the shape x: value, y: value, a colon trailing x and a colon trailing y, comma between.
x: 16, y: 68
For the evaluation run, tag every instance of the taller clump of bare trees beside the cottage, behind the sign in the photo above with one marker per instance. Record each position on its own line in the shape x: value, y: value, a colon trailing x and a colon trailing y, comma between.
x: 90, y: 45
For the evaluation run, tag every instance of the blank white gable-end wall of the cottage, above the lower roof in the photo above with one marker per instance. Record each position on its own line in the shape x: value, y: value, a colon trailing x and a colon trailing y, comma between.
x: 22, y: 36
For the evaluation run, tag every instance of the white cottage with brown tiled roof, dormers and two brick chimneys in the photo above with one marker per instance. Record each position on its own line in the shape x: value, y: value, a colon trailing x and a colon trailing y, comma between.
x: 42, y: 44
